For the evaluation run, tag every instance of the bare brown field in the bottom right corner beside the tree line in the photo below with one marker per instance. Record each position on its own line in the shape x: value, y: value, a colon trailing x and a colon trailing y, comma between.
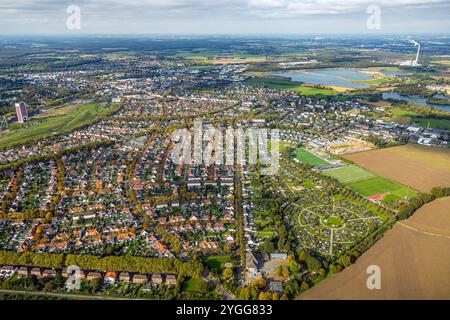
x: 413, y: 256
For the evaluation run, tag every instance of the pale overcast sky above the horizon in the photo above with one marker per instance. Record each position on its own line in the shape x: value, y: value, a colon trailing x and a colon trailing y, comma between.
x: 224, y: 16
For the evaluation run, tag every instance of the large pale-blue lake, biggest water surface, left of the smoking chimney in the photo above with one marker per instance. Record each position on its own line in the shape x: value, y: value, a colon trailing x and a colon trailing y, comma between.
x: 331, y: 77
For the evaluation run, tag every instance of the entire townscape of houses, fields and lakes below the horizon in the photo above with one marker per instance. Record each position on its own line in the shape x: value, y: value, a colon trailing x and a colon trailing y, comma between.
x: 357, y: 132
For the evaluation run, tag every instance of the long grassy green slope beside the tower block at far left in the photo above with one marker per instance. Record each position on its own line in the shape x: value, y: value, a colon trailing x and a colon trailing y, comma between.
x: 76, y: 118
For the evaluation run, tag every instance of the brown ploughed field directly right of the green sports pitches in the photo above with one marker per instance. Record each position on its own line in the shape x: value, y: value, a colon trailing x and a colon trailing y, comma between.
x: 416, y: 166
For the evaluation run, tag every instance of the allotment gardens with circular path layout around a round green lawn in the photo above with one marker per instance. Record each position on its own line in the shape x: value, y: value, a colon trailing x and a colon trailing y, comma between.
x: 331, y: 226
